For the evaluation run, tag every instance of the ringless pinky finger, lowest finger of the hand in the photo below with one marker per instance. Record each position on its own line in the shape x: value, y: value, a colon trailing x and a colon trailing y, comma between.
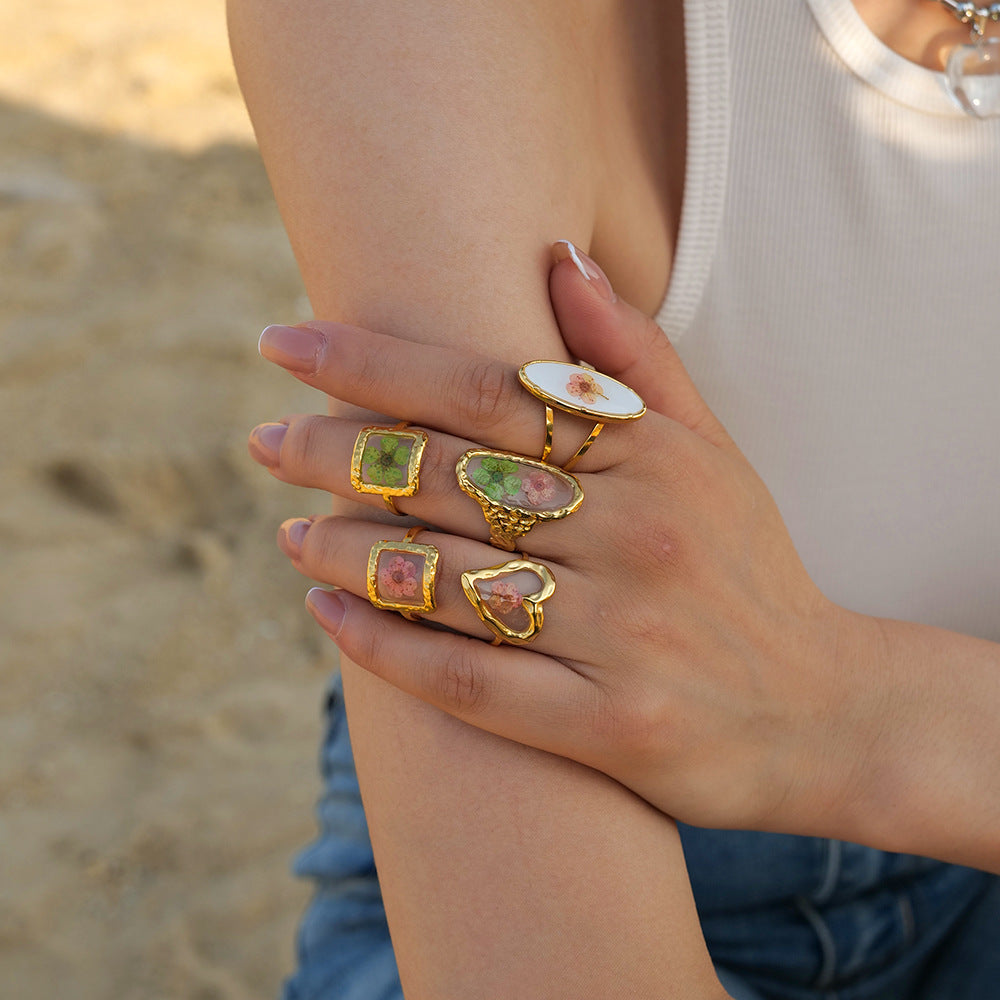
x: 521, y: 695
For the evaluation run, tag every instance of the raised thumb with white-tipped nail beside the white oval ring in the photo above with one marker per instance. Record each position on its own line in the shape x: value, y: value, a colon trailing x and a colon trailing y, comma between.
x: 622, y: 341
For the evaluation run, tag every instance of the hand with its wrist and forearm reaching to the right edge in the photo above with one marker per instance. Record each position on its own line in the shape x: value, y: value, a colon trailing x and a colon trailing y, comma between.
x: 707, y: 673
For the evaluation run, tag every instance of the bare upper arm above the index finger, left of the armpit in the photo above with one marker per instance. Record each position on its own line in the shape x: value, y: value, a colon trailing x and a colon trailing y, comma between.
x: 424, y: 156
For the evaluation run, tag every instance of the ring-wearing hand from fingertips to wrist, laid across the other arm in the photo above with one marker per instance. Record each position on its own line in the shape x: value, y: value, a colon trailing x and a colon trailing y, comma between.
x: 685, y: 653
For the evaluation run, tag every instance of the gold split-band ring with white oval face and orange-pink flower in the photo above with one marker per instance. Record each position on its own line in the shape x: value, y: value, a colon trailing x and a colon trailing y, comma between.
x: 582, y: 392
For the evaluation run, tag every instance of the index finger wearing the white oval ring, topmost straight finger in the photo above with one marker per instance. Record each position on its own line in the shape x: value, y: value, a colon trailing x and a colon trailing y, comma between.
x: 465, y: 395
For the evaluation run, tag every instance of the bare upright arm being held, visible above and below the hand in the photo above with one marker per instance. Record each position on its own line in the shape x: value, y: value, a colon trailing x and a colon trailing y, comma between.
x: 420, y: 199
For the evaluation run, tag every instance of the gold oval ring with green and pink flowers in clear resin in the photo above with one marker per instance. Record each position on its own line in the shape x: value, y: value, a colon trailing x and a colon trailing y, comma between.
x: 516, y: 492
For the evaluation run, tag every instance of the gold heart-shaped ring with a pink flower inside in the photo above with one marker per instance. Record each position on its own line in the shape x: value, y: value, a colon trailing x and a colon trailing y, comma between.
x: 508, y: 598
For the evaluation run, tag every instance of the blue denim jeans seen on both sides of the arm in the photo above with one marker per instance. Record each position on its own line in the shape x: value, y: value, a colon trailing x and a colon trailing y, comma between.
x: 785, y: 918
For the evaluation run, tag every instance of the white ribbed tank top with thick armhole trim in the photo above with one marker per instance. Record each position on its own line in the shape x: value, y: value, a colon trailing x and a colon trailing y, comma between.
x: 836, y: 298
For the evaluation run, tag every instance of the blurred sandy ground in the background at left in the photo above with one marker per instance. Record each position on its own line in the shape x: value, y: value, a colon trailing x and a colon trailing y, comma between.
x: 160, y: 681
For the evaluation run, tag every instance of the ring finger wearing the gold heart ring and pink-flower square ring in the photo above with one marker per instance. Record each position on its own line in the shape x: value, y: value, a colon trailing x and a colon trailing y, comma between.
x: 335, y: 551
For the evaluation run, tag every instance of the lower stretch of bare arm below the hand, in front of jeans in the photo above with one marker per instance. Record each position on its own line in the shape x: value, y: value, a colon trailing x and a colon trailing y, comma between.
x: 508, y: 872
